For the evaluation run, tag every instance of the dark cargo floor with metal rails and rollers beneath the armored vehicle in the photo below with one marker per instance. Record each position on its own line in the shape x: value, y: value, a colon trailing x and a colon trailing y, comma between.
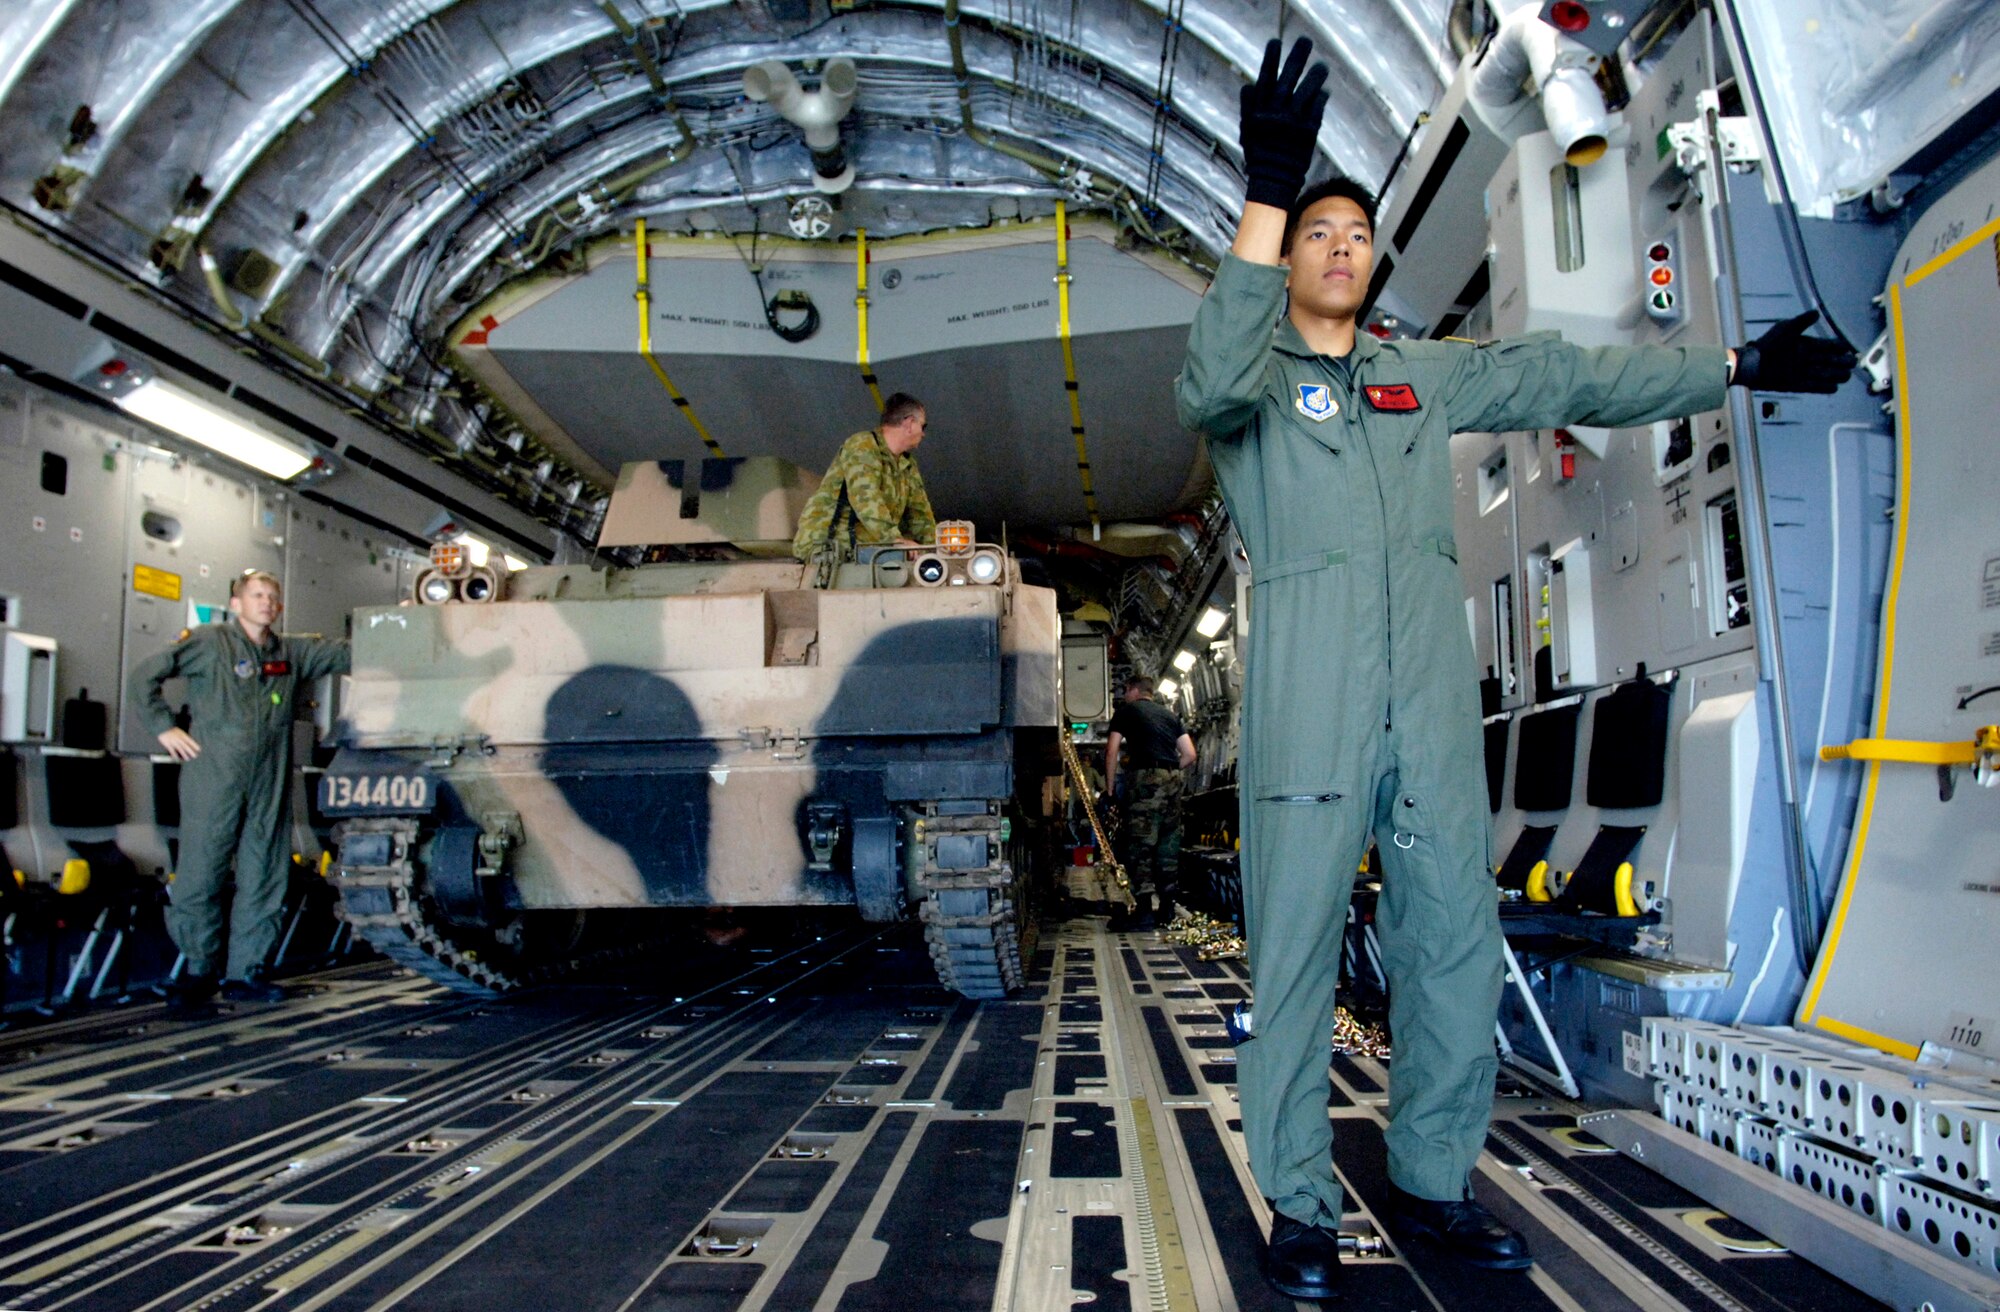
x: 817, y: 1127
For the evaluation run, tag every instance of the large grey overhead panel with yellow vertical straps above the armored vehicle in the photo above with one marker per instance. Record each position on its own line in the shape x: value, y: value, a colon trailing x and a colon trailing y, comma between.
x: 967, y: 325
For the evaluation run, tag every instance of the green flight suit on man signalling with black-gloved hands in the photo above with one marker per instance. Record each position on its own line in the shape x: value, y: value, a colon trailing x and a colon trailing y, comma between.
x: 1361, y: 705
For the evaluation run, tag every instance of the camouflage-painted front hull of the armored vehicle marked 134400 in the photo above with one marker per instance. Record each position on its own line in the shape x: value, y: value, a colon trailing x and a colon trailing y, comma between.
x: 693, y: 735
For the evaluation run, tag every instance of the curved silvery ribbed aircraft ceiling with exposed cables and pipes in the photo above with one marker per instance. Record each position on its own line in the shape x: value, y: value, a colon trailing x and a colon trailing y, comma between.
x: 339, y: 183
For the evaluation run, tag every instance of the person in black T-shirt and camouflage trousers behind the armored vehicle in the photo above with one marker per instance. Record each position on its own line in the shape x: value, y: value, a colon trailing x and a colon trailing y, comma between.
x: 1161, y: 755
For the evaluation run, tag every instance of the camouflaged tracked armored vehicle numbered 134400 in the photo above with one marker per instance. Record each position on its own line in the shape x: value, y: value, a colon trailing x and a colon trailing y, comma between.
x: 533, y: 757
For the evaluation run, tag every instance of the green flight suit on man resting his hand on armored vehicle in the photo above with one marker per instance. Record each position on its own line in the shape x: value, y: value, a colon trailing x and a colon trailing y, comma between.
x: 235, y: 797
